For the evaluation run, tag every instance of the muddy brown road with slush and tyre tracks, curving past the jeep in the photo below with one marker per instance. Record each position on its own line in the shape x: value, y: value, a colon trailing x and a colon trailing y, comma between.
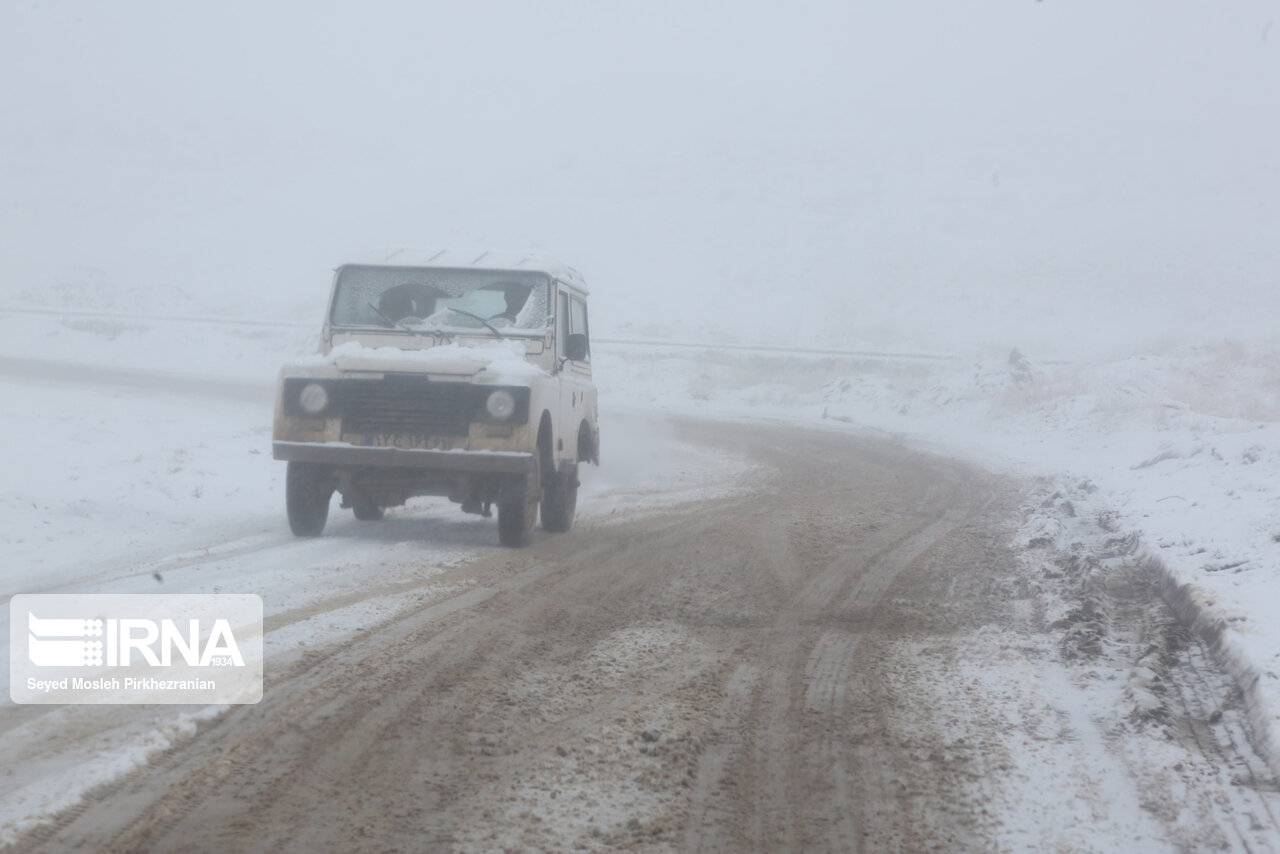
x: 842, y: 655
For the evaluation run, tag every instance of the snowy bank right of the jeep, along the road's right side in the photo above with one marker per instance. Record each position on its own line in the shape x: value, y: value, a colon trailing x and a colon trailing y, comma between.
x: 1180, y: 450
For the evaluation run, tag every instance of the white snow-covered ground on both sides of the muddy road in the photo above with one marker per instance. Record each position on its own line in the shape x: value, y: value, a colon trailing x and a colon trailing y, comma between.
x: 134, y: 473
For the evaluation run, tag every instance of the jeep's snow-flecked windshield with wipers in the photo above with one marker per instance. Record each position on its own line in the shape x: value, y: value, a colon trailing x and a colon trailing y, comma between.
x: 452, y: 300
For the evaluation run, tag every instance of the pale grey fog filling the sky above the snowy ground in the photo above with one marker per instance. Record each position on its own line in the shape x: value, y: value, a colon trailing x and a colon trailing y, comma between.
x: 1064, y: 177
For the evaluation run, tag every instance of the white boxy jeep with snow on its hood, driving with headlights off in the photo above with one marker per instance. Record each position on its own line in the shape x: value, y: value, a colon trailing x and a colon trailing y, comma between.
x: 460, y: 376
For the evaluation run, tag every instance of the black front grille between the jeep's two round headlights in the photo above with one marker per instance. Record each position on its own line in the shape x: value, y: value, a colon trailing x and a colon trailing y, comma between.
x: 406, y: 405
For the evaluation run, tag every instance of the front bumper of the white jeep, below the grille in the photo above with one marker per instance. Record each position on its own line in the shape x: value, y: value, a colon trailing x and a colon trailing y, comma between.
x: 340, y: 454
